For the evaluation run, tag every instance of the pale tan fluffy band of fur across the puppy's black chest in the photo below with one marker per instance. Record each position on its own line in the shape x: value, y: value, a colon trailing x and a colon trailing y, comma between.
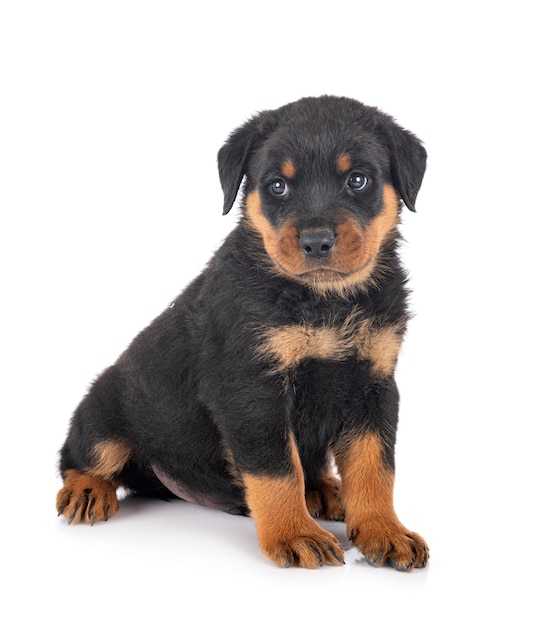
x: 360, y: 339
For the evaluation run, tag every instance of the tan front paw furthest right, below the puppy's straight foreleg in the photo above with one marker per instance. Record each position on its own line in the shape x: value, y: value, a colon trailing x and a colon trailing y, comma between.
x: 390, y: 542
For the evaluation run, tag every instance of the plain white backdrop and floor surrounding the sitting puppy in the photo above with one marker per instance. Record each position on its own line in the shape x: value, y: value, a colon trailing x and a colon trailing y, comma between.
x: 111, y: 115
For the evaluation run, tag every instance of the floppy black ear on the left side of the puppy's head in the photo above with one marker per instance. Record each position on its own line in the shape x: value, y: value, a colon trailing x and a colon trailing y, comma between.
x: 233, y: 157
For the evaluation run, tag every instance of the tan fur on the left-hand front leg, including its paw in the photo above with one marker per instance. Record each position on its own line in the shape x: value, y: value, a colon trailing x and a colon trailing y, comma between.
x: 286, y: 532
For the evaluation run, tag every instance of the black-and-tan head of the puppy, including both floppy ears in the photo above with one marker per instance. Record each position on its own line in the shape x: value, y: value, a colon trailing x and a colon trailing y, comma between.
x: 324, y: 179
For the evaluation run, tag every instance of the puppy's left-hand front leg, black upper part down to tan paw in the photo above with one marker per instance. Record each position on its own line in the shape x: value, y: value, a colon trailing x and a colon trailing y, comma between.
x: 257, y: 435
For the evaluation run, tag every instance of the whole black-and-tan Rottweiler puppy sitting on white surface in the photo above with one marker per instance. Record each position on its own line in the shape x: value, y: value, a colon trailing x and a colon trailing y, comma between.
x: 279, y: 358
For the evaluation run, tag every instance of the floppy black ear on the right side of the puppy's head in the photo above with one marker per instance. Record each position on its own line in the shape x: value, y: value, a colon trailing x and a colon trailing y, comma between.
x: 408, y: 158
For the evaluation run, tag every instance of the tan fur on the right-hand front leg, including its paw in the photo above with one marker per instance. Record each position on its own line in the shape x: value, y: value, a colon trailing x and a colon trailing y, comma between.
x: 367, y: 494
